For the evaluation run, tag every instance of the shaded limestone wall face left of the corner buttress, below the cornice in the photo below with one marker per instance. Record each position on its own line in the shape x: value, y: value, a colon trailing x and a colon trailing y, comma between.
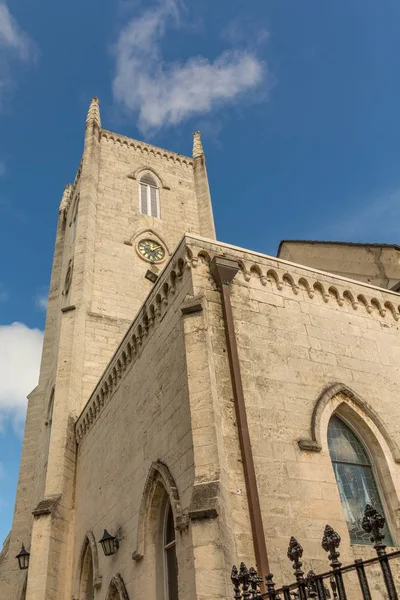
x: 143, y: 419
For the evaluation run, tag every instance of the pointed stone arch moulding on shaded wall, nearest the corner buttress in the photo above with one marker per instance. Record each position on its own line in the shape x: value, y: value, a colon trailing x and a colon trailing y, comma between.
x: 159, y: 481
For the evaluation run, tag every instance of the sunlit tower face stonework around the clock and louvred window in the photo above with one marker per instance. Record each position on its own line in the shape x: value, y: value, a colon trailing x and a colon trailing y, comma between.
x: 118, y: 284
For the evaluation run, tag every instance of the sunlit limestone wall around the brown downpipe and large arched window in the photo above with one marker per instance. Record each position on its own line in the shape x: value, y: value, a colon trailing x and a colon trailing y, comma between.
x: 299, y: 333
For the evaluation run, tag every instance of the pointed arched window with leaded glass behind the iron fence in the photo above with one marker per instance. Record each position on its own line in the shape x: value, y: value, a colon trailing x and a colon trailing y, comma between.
x: 355, y: 479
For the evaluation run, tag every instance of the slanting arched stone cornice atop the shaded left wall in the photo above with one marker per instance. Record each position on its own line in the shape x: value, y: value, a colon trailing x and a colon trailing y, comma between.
x: 152, y: 311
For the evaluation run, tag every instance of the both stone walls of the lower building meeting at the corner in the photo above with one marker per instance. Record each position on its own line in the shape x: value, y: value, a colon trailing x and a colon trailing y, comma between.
x: 309, y: 344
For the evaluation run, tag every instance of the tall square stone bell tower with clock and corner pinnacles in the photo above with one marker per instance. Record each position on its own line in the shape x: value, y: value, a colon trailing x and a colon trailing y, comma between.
x: 122, y: 216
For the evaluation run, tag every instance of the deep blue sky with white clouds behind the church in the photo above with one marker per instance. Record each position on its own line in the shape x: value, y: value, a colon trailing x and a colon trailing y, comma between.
x: 298, y: 103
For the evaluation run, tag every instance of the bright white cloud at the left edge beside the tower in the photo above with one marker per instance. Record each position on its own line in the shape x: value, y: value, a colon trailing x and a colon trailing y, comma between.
x: 20, y: 353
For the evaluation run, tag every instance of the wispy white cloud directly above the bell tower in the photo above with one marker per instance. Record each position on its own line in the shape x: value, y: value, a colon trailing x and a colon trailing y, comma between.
x: 167, y: 93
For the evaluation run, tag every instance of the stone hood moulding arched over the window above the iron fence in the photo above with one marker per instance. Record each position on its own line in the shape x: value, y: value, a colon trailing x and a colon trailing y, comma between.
x: 324, y: 408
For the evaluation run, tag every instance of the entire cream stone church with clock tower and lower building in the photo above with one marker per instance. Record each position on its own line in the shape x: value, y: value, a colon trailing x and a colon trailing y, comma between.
x: 198, y: 403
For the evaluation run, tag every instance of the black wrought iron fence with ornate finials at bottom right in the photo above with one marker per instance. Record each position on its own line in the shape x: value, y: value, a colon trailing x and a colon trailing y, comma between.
x: 327, y: 585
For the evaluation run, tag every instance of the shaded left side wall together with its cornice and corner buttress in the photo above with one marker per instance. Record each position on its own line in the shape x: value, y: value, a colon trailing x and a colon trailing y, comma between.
x: 156, y: 403
